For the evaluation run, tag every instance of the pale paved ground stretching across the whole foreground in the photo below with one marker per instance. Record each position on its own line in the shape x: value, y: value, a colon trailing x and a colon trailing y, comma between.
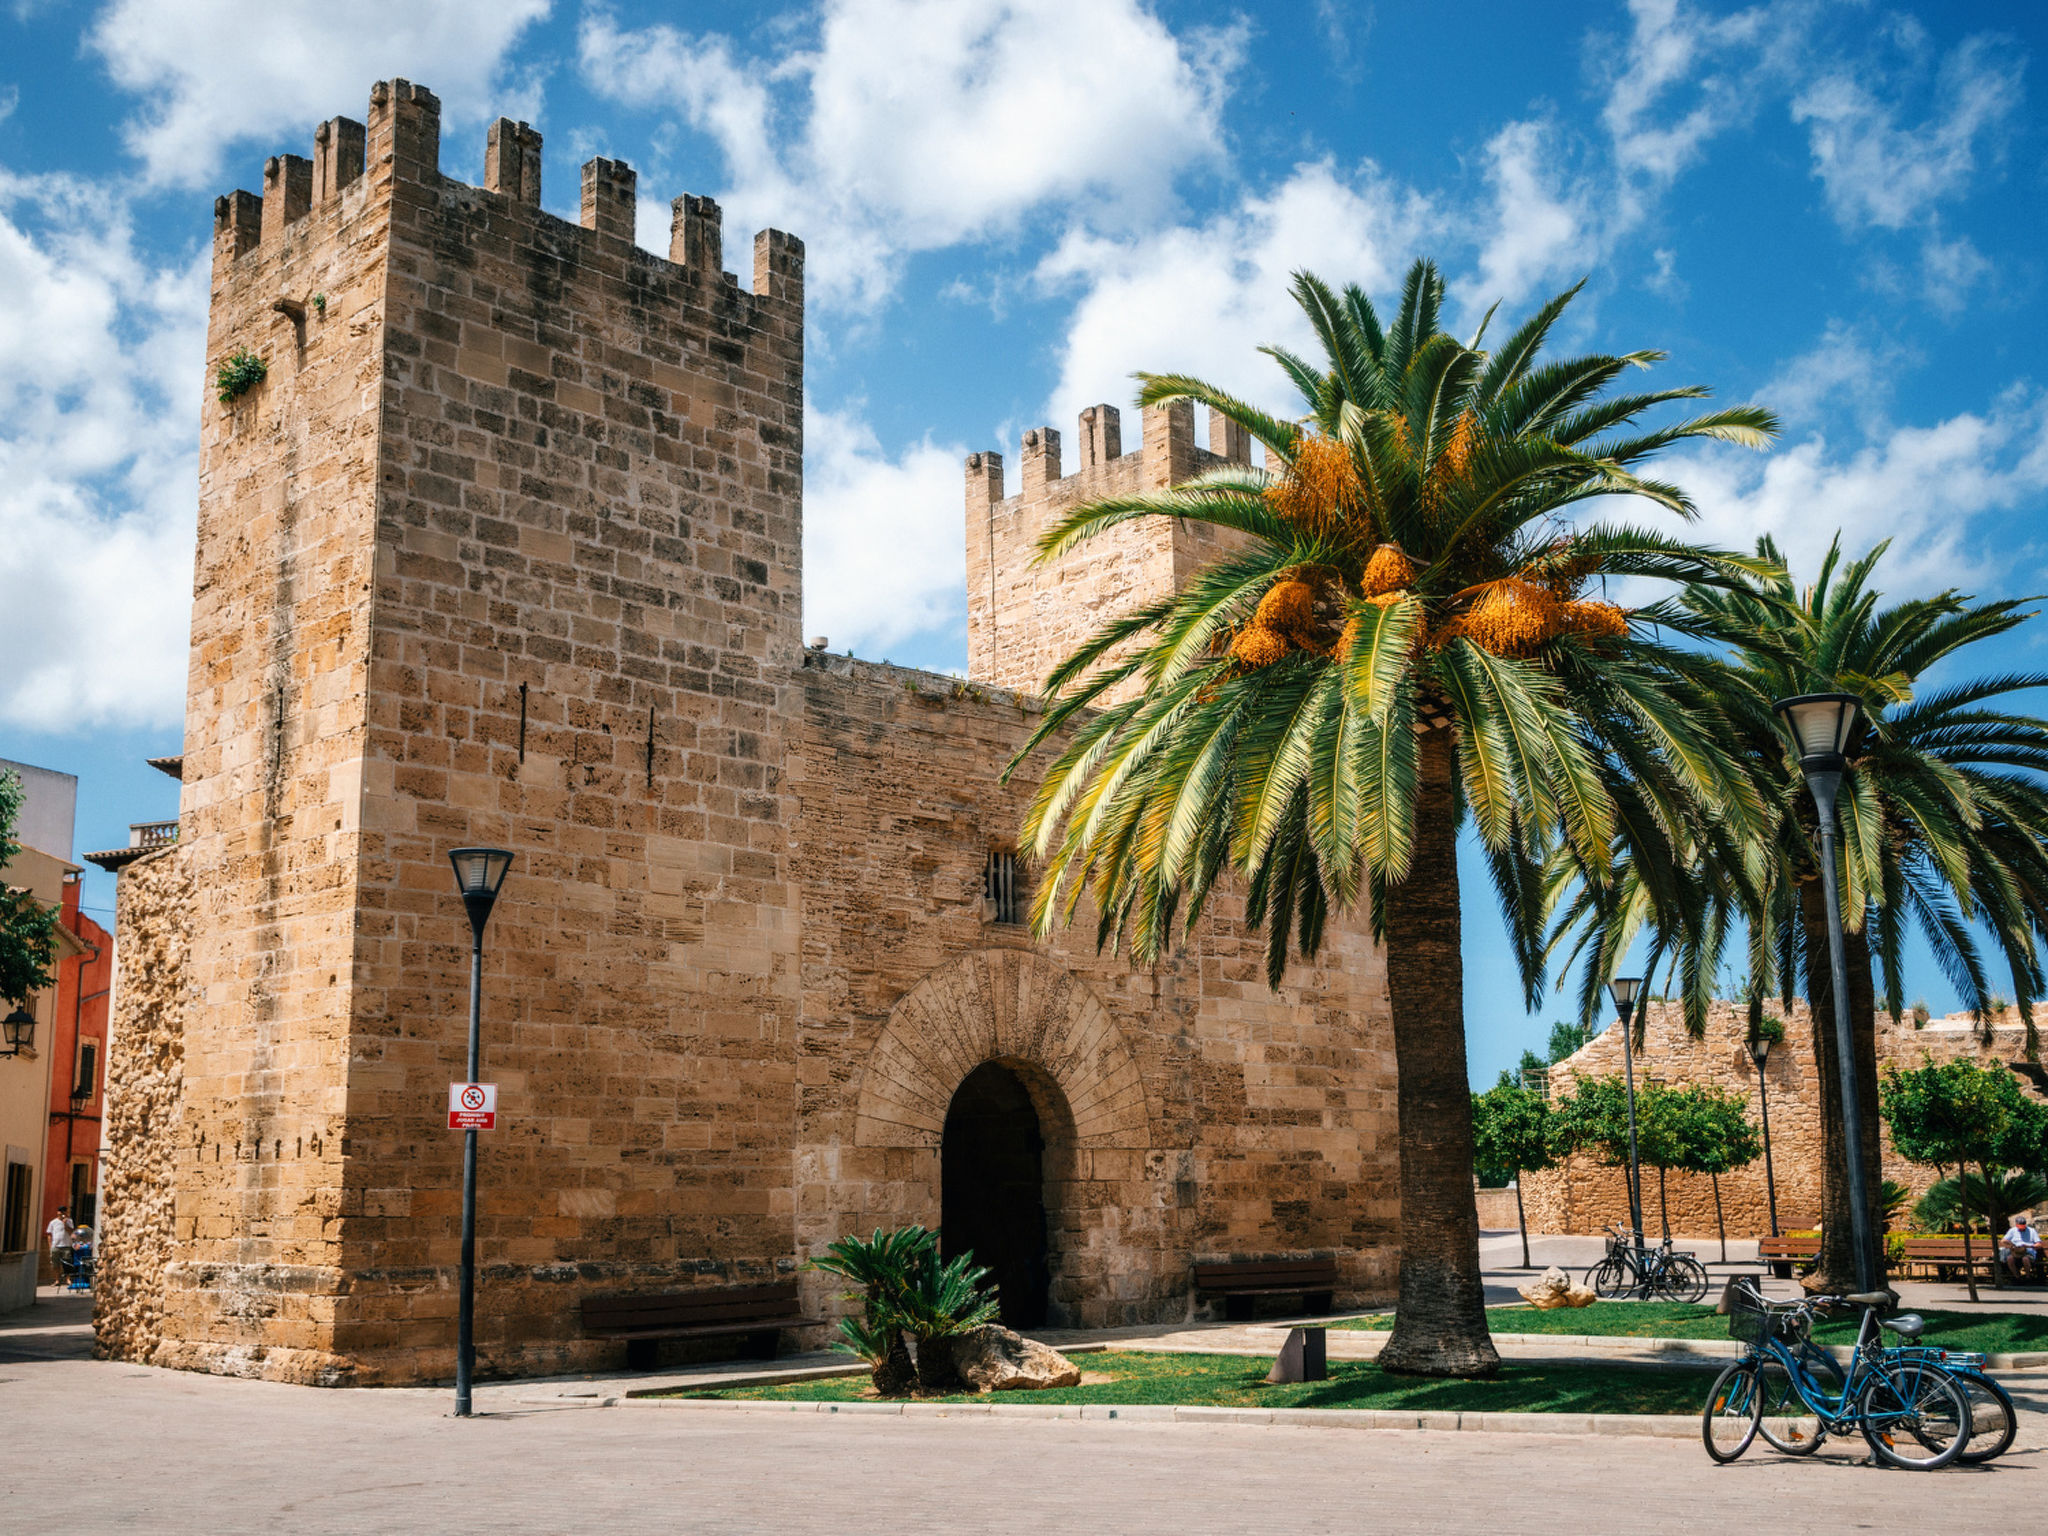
x: 112, y: 1447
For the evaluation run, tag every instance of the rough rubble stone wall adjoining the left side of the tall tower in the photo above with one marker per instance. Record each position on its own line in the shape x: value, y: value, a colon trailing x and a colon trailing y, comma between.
x: 144, y: 1109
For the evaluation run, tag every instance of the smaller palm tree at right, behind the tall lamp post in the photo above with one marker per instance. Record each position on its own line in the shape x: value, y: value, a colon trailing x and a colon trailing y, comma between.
x: 1943, y: 828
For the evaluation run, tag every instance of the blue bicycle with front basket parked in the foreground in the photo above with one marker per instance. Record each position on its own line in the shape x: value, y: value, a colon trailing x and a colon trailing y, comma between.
x: 1908, y: 1406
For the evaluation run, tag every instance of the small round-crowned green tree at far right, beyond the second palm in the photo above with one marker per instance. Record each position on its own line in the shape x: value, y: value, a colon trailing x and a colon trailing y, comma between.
x: 1965, y: 1115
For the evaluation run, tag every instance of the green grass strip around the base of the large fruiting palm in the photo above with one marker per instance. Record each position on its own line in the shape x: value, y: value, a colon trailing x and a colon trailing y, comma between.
x: 1240, y: 1381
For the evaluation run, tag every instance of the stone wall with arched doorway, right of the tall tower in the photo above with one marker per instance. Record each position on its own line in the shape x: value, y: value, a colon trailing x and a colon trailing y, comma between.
x: 1191, y: 1111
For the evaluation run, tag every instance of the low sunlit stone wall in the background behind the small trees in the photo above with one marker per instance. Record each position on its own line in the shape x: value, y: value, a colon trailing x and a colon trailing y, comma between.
x: 1584, y: 1195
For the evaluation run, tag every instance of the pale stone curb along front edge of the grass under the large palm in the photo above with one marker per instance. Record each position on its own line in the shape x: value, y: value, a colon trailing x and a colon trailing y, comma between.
x: 1664, y: 1426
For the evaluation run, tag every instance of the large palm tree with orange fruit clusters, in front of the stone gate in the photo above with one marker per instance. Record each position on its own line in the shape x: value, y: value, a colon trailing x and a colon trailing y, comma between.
x: 1410, y: 632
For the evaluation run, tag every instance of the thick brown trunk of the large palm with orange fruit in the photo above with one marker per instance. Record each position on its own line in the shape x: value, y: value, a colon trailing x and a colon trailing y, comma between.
x: 1441, y: 1320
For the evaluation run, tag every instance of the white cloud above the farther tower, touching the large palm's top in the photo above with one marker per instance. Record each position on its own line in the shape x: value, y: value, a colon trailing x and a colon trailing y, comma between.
x: 1205, y: 298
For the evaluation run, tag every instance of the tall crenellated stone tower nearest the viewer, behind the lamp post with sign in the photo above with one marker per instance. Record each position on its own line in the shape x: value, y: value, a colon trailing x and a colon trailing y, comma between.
x: 503, y: 550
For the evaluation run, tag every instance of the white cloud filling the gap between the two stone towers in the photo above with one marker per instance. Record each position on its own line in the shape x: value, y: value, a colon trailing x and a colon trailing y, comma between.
x: 884, y: 538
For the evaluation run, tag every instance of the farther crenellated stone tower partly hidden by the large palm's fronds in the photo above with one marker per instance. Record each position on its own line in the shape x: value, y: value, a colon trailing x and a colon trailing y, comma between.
x: 1025, y: 620
